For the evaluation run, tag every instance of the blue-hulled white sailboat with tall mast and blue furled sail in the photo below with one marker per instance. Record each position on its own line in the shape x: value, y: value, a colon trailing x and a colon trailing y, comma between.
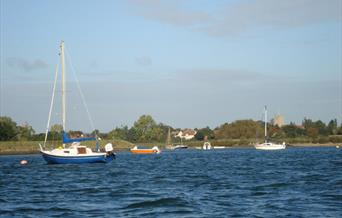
x: 71, y: 151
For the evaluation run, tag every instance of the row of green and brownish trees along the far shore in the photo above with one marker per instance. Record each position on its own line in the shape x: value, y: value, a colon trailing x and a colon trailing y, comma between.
x: 146, y: 129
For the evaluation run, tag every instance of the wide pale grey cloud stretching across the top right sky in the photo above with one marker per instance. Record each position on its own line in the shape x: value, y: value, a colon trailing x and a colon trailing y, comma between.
x: 236, y: 18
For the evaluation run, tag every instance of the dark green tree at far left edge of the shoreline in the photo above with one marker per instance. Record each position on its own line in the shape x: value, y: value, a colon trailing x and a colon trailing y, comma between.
x: 8, y: 129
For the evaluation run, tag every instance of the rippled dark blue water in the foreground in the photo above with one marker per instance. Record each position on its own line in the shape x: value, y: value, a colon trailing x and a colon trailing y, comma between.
x: 296, y: 182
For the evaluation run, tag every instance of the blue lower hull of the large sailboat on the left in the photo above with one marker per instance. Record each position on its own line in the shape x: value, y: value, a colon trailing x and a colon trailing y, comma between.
x: 52, y: 159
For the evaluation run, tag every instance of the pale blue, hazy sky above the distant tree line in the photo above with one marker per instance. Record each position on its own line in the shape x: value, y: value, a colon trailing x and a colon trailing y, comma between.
x: 191, y: 63
